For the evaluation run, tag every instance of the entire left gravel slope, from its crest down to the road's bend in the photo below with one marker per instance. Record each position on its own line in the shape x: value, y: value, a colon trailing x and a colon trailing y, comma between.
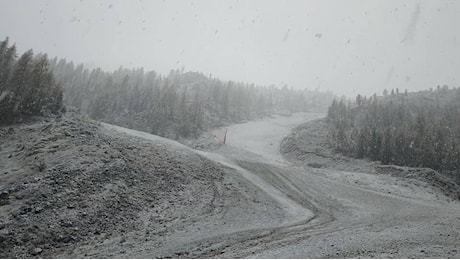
x: 72, y: 189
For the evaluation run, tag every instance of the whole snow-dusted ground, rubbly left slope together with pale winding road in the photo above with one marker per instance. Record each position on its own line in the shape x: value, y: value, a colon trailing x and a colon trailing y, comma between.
x: 70, y: 188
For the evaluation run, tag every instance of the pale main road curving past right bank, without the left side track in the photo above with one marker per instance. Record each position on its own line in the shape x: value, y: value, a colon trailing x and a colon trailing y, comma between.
x: 348, y: 220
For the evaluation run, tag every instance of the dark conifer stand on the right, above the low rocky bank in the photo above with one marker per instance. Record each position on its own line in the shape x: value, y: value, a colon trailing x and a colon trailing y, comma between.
x: 418, y: 129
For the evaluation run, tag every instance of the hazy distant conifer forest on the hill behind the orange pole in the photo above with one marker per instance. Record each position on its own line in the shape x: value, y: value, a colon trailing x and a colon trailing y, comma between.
x: 180, y: 104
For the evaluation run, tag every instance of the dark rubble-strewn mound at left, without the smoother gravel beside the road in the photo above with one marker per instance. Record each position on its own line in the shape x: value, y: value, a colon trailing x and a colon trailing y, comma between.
x: 64, y: 182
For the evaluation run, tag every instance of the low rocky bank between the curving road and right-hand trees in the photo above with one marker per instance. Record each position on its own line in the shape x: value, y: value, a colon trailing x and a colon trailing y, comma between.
x: 307, y: 145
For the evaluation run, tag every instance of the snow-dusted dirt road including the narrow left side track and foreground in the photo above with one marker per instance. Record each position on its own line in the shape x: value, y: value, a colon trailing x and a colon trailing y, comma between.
x: 312, y: 212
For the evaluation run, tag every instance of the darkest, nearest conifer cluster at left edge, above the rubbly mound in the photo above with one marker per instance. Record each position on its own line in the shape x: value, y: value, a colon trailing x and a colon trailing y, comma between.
x: 27, y: 86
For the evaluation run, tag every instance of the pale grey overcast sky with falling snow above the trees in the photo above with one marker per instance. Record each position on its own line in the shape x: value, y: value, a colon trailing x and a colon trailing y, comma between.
x: 348, y: 47
